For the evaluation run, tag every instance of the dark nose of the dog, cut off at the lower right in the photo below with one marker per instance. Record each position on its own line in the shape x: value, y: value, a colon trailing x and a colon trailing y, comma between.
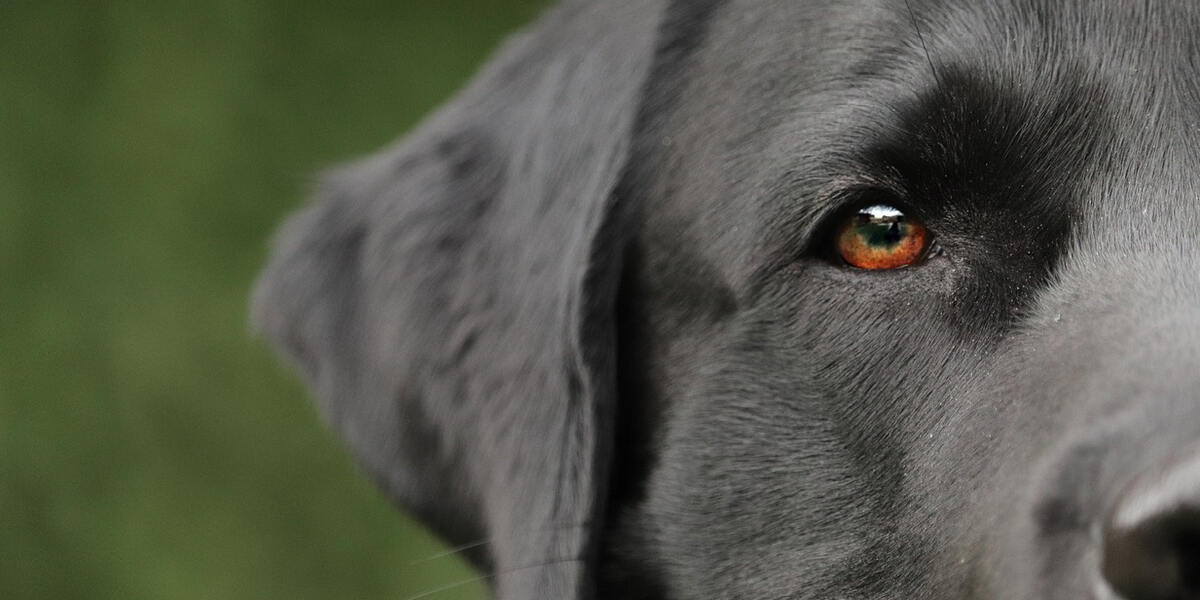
x: 1153, y: 537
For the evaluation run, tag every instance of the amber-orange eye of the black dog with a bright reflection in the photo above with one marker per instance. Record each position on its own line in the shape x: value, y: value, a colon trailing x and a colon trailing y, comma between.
x: 881, y: 237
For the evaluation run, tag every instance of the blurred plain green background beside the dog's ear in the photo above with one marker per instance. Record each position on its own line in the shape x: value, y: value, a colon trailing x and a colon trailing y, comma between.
x: 149, y: 447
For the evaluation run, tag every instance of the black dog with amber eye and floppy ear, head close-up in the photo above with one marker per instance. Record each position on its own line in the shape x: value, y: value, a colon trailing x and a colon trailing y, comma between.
x: 784, y: 299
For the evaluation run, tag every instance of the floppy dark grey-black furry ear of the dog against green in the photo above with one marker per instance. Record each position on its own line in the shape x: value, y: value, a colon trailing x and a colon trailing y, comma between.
x: 451, y: 301
